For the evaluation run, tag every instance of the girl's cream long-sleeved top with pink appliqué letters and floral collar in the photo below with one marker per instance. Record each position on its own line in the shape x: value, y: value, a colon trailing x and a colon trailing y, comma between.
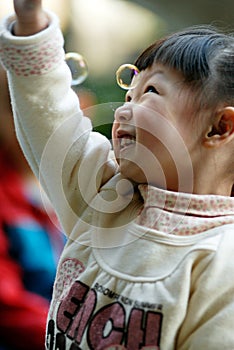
x: 123, y: 281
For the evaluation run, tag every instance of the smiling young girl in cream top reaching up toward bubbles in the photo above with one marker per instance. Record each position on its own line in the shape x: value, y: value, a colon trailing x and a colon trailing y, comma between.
x: 149, y: 259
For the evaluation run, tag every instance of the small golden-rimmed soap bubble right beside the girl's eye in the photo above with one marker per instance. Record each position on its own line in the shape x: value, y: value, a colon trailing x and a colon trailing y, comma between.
x: 125, y: 75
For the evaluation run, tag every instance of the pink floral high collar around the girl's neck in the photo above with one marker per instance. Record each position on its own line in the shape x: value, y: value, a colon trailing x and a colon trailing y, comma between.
x: 184, y: 214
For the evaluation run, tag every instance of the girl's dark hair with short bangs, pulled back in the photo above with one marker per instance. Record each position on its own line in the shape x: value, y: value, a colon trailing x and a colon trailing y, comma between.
x: 205, y: 57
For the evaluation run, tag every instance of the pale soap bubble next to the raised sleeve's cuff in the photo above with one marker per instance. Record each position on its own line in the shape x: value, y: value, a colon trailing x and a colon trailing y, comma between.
x: 78, y: 67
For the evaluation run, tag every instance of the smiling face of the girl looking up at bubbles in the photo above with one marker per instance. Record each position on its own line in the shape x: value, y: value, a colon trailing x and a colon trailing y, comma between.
x: 154, y: 139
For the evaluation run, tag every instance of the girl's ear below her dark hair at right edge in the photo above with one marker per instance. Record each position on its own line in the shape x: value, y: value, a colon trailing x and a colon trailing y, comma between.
x: 223, y: 129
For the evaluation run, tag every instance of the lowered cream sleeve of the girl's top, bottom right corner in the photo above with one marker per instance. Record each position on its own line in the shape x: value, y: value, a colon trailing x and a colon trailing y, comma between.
x: 210, y: 315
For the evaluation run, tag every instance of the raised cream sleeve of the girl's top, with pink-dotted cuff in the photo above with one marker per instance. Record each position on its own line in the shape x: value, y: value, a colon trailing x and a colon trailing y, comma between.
x: 56, y: 138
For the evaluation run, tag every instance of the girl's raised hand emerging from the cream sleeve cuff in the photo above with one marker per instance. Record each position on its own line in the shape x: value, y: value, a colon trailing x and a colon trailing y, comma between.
x: 30, y: 17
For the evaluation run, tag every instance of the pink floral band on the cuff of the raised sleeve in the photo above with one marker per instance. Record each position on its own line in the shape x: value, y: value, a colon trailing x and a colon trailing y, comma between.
x: 32, y: 59
